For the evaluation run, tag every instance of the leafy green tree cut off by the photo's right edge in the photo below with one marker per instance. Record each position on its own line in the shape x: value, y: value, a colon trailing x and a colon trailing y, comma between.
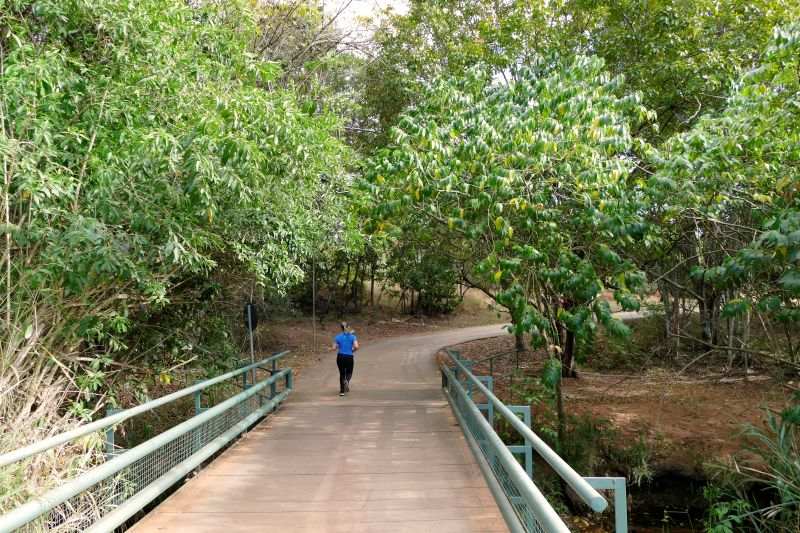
x: 726, y: 192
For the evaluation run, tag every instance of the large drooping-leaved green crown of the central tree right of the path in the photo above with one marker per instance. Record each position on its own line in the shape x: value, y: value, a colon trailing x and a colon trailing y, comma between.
x: 529, y: 184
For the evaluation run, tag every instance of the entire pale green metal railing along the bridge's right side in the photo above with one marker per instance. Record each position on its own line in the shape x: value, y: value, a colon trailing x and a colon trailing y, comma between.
x: 524, y: 507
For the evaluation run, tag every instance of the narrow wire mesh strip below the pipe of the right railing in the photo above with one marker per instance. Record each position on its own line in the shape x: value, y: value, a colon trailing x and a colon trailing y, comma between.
x: 477, y: 429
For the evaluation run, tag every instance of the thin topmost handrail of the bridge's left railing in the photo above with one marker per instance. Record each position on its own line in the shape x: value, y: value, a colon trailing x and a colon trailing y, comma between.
x: 117, y: 418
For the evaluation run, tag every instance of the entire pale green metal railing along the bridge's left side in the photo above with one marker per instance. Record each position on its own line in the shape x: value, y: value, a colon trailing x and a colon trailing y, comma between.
x: 119, y: 487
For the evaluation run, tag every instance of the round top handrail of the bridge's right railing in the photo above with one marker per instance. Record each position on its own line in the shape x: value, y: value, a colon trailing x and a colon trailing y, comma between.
x: 581, y: 487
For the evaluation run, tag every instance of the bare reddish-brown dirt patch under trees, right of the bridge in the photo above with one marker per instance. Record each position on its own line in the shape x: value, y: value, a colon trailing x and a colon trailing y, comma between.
x: 691, y: 421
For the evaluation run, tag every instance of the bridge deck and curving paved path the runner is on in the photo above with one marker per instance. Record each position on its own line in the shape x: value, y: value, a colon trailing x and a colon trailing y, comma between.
x: 389, y: 457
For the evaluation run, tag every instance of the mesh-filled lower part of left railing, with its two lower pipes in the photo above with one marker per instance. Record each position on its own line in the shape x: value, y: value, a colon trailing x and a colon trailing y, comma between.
x: 107, y: 499
